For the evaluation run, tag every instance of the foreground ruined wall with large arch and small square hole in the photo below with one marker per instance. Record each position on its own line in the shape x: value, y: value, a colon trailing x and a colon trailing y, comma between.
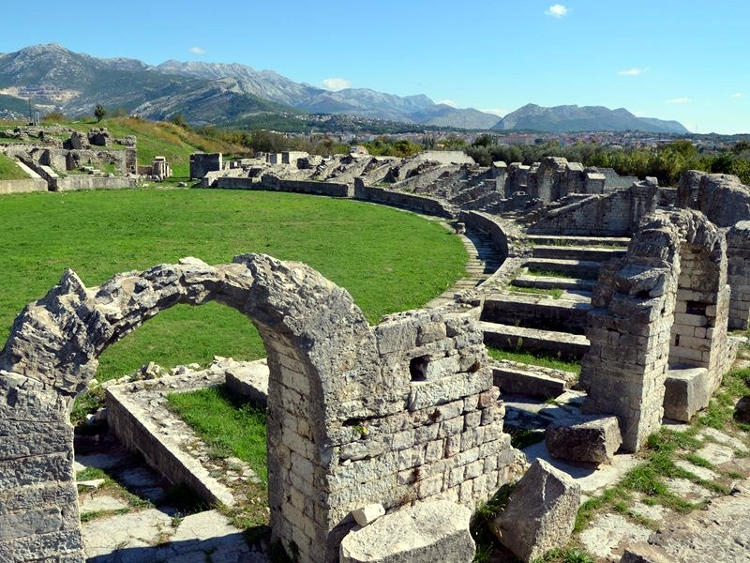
x: 357, y: 415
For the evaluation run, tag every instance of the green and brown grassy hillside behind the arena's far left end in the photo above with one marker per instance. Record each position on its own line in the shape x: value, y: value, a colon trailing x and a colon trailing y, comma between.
x: 156, y: 138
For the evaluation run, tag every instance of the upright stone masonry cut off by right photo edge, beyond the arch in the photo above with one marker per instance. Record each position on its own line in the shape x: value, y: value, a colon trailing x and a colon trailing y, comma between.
x: 738, y: 255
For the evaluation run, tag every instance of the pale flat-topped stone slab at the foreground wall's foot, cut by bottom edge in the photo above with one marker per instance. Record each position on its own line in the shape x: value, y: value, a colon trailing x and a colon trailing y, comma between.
x: 426, y: 532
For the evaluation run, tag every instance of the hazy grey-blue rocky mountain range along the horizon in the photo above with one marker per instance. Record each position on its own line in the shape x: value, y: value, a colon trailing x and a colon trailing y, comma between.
x: 56, y: 78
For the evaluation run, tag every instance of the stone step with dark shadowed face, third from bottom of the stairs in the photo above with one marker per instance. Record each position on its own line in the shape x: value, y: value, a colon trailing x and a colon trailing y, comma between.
x: 542, y: 313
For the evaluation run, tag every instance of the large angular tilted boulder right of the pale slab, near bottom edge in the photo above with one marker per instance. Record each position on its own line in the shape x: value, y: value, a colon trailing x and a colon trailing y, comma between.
x: 541, y: 512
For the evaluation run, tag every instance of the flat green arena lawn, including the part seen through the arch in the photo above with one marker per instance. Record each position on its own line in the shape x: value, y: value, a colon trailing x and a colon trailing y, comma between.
x: 389, y: 260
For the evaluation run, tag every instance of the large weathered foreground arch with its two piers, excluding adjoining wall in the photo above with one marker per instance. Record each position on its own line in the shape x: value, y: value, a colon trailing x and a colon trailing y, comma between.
x: 321, y: 351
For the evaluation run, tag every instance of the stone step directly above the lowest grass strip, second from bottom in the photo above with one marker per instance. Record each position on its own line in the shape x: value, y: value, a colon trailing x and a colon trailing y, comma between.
x: 524, y: 339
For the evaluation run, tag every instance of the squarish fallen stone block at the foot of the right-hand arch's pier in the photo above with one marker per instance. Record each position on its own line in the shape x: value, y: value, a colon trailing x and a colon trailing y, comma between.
x: 591, y: 441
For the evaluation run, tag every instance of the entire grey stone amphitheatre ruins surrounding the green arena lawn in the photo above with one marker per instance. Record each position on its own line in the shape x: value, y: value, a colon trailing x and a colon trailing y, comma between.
x: 384, y: 440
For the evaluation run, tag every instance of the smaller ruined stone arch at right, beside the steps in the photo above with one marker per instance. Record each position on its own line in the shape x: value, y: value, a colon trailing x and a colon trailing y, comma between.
x: 676, y: 261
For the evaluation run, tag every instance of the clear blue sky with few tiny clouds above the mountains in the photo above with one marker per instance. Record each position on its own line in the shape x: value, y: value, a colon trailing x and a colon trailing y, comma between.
x: 687, y: 60
